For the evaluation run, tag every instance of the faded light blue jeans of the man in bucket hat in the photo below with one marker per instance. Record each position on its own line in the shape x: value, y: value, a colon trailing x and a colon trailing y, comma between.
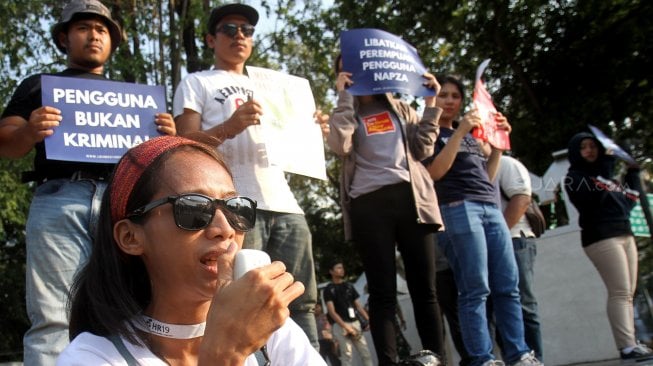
x: 62, y: 215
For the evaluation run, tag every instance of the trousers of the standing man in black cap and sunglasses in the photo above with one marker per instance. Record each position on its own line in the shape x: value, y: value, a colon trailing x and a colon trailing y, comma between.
x: 287, y: 238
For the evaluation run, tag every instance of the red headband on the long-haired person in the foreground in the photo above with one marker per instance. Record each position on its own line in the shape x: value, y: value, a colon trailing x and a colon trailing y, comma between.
x: 131, y: 167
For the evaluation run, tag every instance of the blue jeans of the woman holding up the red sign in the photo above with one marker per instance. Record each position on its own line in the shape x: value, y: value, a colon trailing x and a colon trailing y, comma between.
x: 478, y: 246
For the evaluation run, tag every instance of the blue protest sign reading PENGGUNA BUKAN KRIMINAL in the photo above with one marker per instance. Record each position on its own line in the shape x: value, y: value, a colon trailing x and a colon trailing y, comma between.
x: 101, y: 119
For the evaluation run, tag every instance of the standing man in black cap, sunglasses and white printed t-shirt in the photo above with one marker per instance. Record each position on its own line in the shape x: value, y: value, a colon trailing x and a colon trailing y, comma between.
x: 222, y: 102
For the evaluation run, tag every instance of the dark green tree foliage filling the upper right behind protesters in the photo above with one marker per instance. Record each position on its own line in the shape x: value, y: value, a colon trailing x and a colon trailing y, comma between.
x: 555, y: 66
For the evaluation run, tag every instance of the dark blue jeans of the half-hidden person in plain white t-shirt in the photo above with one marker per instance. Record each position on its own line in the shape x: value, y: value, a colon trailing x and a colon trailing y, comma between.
x: 525, y: 252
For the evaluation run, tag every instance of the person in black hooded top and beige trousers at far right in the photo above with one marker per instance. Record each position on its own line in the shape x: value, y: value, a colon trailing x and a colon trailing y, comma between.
x: 604, y: 207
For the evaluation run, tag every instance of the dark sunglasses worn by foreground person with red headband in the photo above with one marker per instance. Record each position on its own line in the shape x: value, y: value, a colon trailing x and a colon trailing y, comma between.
x: 194, y: 211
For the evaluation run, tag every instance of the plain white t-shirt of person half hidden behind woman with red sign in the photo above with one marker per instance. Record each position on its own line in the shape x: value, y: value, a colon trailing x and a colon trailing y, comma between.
x: 513, y: 178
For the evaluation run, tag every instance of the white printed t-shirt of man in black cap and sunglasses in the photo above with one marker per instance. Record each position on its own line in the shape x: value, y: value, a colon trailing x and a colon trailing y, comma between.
x: 216, y: 94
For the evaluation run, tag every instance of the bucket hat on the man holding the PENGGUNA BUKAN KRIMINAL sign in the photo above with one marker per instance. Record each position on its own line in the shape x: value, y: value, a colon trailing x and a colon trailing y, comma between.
x: 87, y: 7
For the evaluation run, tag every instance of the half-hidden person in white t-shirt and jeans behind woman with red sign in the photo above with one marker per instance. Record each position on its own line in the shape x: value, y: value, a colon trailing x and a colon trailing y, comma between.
x: 514, y: 182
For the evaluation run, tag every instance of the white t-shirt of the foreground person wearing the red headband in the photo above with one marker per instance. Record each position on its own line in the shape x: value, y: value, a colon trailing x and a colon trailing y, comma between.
x: 288, y: 346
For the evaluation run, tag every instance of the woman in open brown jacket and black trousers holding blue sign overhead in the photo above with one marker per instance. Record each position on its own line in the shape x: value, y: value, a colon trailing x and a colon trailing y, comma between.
x: 388, y: 200
